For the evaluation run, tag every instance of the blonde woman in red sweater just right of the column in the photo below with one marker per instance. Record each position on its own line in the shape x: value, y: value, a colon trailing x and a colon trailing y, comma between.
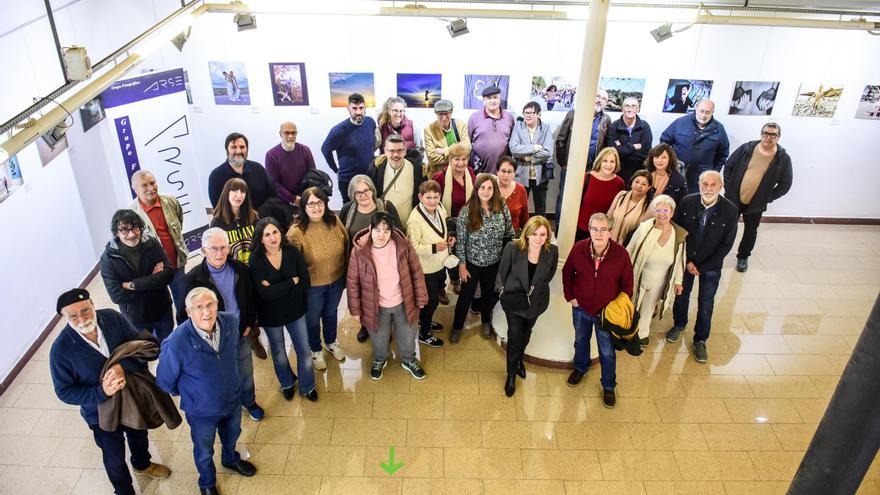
x: 600, y: 187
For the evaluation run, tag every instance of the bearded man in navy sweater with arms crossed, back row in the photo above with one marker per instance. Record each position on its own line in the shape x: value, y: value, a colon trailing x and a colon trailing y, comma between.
x: 354, y: 141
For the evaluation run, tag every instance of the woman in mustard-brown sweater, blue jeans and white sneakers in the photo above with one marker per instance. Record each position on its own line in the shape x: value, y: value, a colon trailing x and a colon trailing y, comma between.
x: 319, y: 235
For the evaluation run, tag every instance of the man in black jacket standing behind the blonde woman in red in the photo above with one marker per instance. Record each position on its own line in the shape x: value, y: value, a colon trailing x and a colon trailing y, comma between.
x: 631, y: 137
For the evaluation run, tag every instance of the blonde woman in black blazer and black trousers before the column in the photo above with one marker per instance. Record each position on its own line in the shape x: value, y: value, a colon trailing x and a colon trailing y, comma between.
x: 527, y: 266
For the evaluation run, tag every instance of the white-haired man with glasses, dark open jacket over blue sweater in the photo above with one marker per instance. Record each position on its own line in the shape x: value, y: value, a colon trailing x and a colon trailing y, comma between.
x: 230, y: 281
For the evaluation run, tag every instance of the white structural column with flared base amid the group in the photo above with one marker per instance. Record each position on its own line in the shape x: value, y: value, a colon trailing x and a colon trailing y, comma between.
x: 553, y: 337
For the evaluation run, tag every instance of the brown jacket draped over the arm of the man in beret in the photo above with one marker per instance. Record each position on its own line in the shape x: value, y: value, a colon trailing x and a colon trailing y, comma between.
x: 141, y: 404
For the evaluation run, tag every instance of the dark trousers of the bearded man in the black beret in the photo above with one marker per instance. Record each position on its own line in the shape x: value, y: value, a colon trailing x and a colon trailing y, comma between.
x: 112, y: 445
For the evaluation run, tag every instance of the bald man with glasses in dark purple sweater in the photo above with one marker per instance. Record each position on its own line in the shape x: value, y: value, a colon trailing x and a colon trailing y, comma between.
x: 287, y: 163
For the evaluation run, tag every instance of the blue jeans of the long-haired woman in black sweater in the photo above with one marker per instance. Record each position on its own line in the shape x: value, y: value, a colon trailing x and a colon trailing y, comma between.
x: 299, y: 337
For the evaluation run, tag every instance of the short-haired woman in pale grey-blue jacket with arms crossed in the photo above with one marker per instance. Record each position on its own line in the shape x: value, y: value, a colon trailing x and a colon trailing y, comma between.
x: 531, y: 143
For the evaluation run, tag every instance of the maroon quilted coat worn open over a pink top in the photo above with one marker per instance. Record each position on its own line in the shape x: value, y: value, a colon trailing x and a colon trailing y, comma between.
x: 363, y: 287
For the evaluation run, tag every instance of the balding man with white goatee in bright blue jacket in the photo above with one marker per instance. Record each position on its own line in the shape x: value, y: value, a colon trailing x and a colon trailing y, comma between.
x: 699, y: 141
